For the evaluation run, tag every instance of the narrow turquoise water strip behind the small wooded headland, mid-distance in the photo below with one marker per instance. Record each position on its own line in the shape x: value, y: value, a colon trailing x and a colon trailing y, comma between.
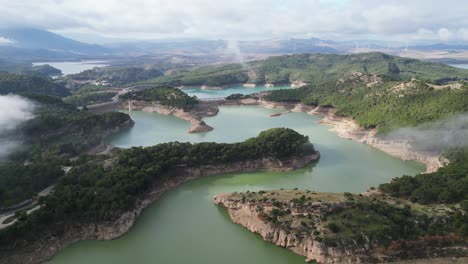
x: 202, y: 93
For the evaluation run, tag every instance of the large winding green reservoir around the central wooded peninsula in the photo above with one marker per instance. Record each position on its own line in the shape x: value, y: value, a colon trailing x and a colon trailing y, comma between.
x: 184, y: 226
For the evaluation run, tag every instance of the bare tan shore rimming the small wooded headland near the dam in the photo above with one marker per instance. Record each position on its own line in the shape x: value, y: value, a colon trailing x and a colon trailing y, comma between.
x: 194, y: 116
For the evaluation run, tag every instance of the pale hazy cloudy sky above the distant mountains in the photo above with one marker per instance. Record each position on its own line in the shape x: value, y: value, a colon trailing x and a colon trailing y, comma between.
x: 407, y: 20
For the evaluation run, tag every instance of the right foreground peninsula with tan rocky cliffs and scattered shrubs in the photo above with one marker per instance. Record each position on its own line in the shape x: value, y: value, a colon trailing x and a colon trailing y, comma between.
x: 340, y: 228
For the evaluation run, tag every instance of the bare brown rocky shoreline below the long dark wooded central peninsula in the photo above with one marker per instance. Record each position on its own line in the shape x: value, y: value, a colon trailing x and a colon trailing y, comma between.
x: 60, y: 237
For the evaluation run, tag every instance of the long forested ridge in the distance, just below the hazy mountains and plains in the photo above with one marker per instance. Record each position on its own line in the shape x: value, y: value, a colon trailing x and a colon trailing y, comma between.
x: 315, y: 69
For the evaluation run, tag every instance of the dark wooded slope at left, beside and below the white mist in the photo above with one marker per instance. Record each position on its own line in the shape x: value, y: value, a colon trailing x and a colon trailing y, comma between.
x: 57, y: 133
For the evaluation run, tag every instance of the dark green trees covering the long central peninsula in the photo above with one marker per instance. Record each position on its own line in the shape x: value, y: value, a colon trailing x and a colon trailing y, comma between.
x: 101, y: 188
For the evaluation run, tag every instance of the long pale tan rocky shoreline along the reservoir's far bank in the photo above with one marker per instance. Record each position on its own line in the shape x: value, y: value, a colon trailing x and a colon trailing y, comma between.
x: 345, y: 127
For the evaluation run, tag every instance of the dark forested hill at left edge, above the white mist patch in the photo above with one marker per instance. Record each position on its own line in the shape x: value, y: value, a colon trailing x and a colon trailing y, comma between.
x: 27, y: 84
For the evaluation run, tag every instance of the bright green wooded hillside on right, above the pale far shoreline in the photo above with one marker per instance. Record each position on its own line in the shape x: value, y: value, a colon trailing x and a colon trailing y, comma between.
x: 385, y: 106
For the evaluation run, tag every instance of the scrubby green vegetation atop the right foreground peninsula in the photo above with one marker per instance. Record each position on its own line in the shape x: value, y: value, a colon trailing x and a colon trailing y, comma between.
x: 358, y: 223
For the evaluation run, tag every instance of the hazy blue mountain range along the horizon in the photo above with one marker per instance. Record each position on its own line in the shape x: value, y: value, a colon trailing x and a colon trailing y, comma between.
x: 31, y: 44
